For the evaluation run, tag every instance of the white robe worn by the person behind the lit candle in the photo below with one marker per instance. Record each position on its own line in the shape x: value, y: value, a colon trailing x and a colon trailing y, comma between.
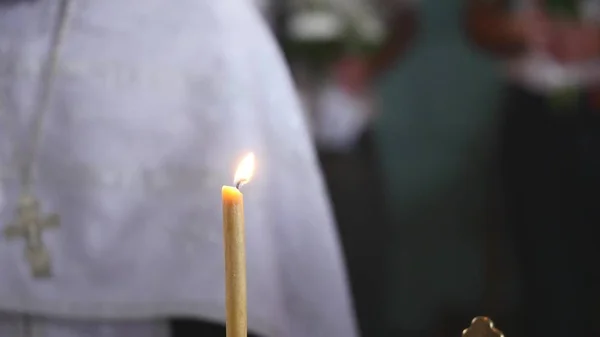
x: 154, y: 103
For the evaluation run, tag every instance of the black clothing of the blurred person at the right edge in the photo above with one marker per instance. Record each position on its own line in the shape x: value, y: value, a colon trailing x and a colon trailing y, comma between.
x: 551, y: 176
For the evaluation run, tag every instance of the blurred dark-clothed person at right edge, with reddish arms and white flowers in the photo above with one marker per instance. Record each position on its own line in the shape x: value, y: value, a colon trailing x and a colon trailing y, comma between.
x: 550, y: 151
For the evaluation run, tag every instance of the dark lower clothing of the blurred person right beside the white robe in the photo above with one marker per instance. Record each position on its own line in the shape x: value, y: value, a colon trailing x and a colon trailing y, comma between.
x: 355, y: 187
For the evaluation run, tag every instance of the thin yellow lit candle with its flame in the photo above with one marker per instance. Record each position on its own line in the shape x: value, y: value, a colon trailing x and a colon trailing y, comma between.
x: 235, y: 251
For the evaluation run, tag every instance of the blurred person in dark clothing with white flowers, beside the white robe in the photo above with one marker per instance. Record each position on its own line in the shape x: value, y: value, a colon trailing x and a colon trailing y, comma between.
x: 338, y: 50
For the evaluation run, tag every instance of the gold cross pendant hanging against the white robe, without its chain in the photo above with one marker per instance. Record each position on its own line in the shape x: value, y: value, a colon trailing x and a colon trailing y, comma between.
x: 30, y: 225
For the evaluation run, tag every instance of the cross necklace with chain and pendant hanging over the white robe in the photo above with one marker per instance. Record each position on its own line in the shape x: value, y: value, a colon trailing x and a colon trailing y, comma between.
x: 29, y: 222
